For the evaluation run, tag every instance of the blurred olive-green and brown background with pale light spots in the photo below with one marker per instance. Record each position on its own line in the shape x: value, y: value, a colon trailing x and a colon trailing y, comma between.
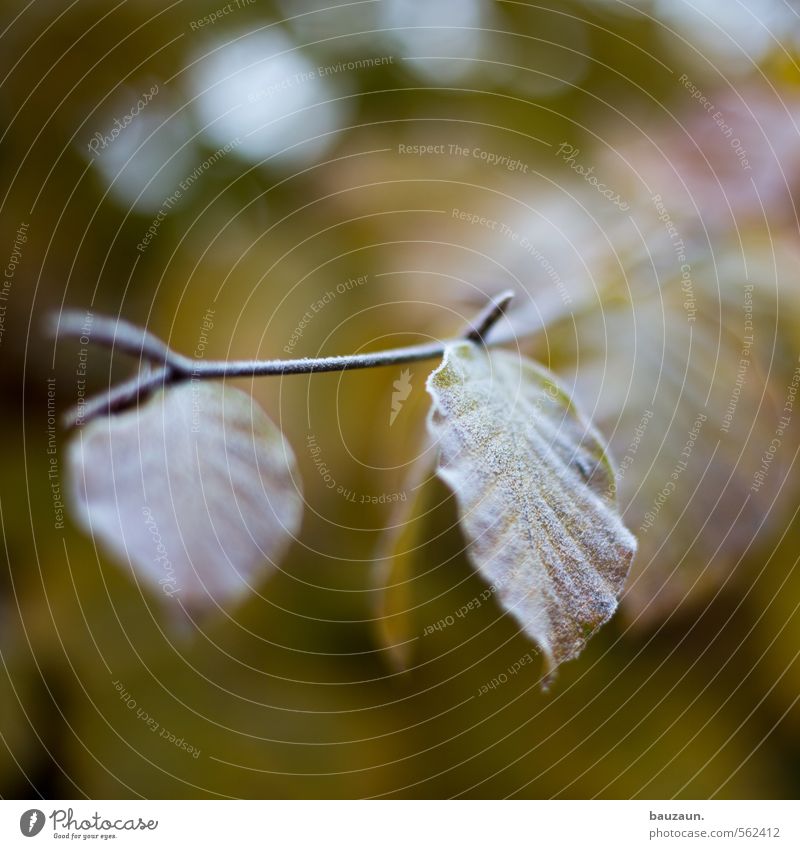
x: 629, y: 169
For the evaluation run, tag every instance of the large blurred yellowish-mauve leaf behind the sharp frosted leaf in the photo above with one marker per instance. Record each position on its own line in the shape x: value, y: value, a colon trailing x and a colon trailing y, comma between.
x: 690, y: 413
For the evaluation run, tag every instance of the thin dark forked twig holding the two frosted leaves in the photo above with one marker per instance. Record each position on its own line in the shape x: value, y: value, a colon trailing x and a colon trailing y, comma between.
x: 171, y: 368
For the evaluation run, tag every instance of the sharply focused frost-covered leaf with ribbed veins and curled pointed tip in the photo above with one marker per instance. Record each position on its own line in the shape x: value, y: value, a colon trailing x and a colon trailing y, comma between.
x: 535, y: 494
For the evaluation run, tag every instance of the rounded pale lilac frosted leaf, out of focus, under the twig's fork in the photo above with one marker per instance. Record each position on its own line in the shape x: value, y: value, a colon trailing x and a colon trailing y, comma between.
x: 197, y: 490
